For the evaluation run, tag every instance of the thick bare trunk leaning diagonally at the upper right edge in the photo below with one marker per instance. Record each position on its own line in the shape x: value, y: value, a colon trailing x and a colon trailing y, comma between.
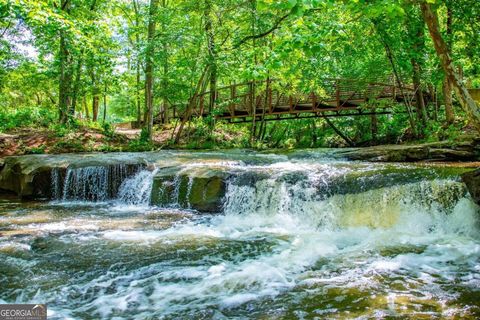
x: 466, y: 101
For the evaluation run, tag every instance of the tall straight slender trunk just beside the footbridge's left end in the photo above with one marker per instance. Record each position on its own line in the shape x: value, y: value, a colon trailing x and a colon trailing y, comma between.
x: 149, y: 69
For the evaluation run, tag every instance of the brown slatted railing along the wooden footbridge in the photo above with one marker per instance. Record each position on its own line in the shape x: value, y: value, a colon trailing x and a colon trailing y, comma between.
x: 269, y: 97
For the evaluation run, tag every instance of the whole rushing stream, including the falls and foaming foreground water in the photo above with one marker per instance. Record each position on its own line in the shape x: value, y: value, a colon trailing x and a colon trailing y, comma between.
x: 299, y: 236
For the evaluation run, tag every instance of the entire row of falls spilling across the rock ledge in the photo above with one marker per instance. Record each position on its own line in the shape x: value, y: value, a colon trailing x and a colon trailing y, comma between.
x: 328, y: 195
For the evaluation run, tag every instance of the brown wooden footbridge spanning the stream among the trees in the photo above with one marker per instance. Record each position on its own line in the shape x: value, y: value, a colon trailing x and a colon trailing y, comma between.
x: 273, y: 100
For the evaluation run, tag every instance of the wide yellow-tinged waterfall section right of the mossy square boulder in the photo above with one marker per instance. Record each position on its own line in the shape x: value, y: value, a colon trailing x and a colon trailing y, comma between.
x: 316, y: 199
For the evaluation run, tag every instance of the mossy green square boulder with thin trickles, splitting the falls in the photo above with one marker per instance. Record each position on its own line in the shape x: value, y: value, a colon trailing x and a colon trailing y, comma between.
x: 201, y: 190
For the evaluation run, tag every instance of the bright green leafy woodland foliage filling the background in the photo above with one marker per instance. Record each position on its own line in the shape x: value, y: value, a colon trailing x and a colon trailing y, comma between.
x: 299, y: 43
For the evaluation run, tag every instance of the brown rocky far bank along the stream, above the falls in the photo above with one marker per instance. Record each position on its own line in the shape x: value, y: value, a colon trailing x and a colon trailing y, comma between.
x: 45, y: 141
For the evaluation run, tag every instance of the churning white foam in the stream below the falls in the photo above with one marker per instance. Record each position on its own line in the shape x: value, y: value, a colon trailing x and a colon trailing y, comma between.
x: 449, y: 243
